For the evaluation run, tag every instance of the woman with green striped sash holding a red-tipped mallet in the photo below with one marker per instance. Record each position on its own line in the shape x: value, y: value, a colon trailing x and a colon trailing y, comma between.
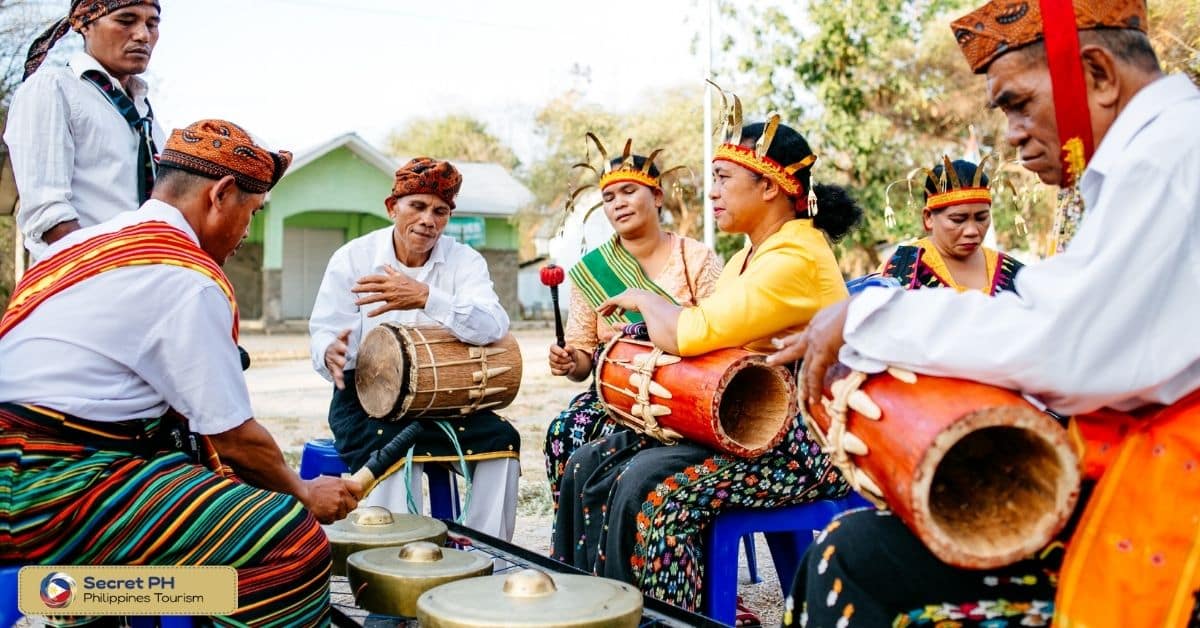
x: 640, y: 255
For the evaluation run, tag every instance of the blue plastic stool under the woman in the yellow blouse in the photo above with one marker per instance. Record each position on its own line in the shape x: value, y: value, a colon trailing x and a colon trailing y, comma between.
x: 789, y: 531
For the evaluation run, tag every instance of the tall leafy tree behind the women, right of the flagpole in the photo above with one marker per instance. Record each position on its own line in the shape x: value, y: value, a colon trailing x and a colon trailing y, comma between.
x: 880, y: 88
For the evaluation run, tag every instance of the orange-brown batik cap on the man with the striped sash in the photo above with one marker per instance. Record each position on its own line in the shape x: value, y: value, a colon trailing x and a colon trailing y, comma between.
x: 218, y: 148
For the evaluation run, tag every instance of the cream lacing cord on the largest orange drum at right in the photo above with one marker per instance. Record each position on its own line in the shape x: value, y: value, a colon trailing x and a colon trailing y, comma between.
x: 838, y: 439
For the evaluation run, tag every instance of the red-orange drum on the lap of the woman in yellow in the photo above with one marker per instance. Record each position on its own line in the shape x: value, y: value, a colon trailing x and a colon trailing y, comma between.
x: 728, y: 399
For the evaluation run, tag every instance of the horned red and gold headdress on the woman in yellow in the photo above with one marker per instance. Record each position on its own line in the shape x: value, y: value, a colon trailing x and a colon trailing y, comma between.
x: 757, y: 159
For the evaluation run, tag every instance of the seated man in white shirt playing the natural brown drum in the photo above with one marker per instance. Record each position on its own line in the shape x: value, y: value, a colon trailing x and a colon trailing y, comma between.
x: 412, y: 274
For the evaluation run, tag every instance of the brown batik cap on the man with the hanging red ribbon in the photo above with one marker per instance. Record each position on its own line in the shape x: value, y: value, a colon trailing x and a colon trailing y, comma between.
x: 1005, y: 26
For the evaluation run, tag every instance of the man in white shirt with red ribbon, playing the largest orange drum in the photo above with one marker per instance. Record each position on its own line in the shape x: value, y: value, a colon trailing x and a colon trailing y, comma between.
x: 1103, y: 332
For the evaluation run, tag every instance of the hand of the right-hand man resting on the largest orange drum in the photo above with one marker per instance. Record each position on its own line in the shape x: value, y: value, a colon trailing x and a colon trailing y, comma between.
x: 818, y: 346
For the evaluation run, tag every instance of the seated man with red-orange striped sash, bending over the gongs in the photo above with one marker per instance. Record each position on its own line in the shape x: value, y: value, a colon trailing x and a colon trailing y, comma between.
x: 127, y: 435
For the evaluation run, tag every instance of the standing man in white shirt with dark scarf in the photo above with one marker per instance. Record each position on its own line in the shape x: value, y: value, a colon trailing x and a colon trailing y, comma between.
x: 83, y: 137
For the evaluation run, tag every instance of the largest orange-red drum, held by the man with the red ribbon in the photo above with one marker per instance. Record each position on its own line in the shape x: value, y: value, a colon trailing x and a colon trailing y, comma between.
x: 980, y: 475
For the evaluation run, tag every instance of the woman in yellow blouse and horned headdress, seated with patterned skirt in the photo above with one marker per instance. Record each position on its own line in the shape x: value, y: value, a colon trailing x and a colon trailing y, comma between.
x: 639, y: 509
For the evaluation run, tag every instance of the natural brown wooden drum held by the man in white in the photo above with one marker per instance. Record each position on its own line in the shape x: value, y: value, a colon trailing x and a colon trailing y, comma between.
x: 410, y: 372
